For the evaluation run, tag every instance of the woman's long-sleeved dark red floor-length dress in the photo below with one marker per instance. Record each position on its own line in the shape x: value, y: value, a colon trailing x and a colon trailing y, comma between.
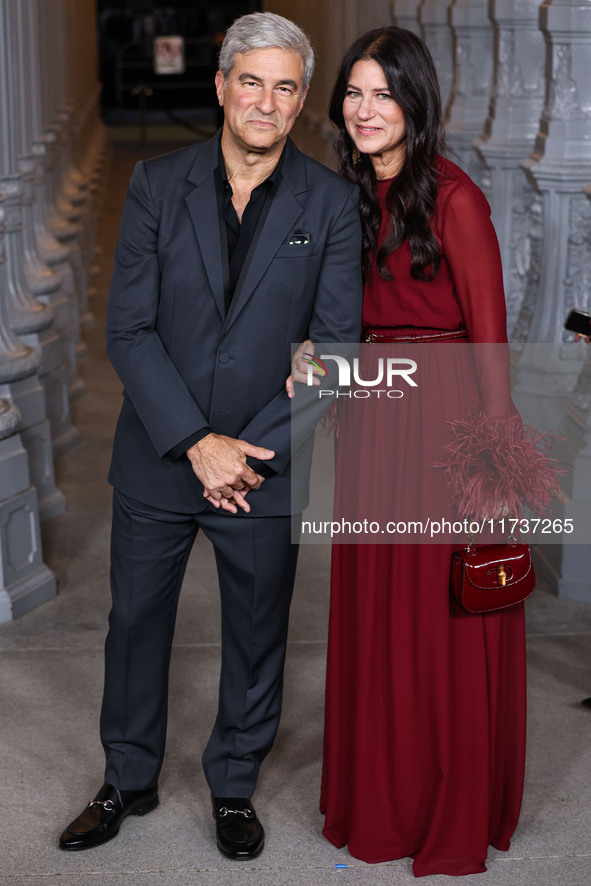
x: 424, y: 747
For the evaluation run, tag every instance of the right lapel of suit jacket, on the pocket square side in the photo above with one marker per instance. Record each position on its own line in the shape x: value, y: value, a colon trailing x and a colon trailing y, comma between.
x: 283, y: 214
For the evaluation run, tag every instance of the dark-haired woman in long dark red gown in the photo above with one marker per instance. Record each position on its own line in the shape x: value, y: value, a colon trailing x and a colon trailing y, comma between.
x: 424, y: 743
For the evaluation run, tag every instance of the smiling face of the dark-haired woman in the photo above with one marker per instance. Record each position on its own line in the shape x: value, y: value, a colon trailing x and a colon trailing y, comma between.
x: 373, y: 119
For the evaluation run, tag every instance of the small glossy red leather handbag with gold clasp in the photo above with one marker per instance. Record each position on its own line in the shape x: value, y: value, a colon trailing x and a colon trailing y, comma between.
x: 492, y: 577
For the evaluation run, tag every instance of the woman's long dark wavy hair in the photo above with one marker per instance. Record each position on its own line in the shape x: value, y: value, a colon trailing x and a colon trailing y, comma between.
x: 412, y: 82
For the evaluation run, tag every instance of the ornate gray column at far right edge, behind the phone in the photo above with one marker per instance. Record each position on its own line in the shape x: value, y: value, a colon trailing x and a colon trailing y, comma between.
x: 560, y: 168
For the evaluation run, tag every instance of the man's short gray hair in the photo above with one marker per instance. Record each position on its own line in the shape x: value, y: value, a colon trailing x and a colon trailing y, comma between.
x: 265, y: 30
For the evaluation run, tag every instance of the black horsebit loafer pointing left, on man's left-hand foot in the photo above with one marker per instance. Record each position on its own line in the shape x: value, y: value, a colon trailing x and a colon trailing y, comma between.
x: 102, y: 818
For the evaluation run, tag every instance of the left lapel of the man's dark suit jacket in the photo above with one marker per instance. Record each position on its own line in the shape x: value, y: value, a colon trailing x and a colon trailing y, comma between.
x: 203, y: 209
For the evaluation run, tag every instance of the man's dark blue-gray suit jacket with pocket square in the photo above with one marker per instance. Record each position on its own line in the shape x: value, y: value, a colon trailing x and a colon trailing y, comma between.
x: 183, y: 364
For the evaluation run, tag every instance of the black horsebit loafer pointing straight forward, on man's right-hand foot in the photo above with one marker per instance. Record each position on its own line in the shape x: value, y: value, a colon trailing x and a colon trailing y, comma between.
x: 239, y: 834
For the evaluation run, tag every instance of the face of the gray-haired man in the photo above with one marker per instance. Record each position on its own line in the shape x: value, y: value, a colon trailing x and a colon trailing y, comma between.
x: 262, y: 98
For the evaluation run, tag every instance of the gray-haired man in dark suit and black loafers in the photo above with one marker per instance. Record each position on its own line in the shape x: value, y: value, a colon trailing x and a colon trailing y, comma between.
x: 228, y: 252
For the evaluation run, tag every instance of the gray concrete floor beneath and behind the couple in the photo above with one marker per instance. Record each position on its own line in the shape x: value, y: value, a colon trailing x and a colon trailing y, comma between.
x: 51, y: 682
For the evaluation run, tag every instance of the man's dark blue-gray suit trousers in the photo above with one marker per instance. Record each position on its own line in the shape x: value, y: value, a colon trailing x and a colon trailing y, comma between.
x: 256, y: 564
